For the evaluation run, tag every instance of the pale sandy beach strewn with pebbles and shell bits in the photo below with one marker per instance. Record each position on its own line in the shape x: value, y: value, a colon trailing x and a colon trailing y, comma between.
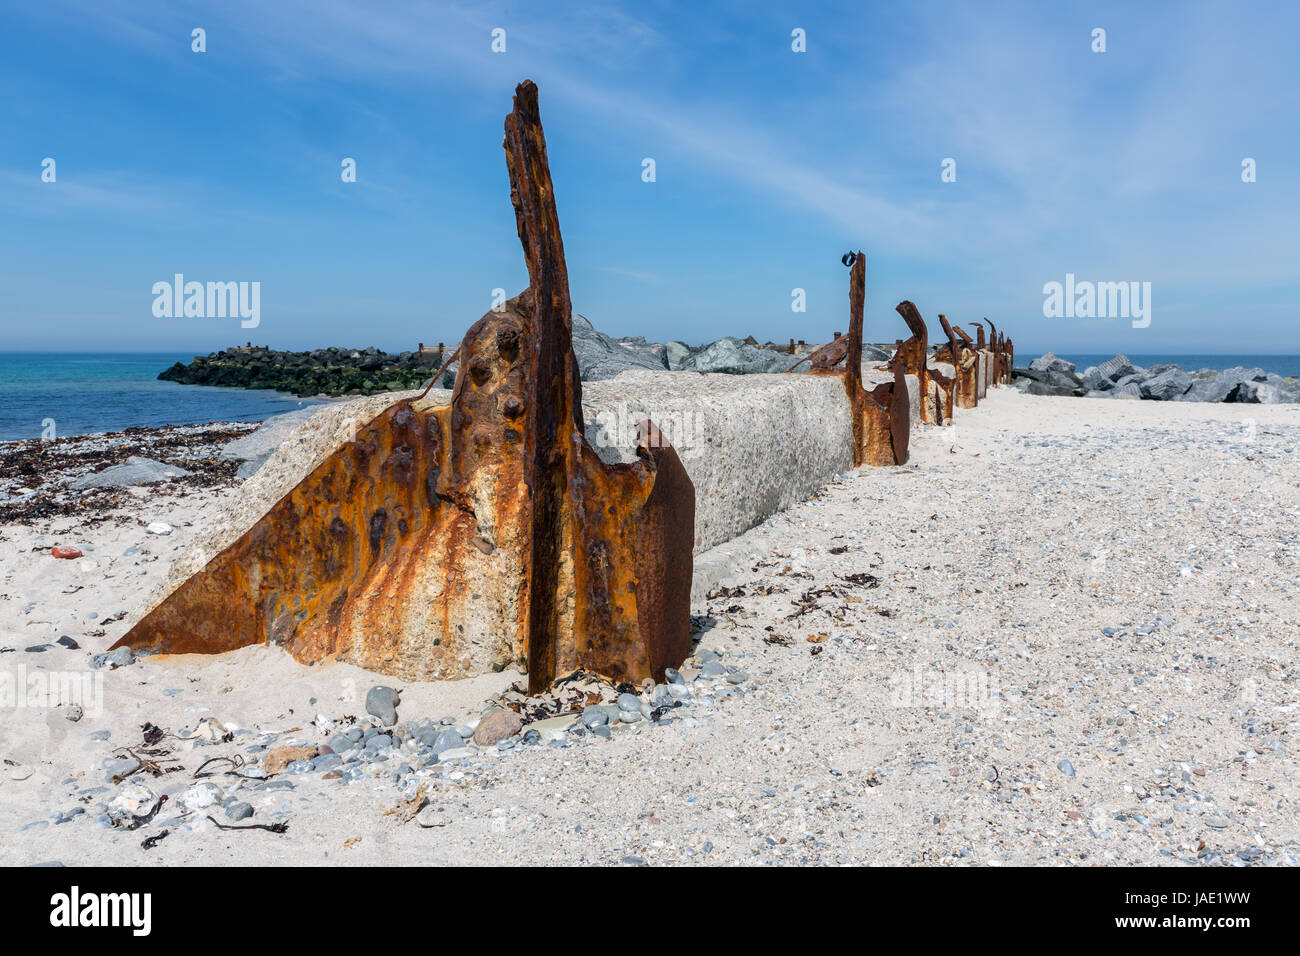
x: 1064, y: 634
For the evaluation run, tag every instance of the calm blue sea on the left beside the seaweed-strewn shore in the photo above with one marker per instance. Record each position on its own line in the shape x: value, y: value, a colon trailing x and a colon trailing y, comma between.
x: 107, y: 392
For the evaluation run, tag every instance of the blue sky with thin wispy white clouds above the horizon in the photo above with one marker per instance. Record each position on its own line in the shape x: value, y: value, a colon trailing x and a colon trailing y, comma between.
x: 226, y: 166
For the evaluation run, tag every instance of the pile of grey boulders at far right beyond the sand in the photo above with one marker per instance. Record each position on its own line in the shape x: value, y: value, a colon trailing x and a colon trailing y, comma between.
x: 1119, y: 378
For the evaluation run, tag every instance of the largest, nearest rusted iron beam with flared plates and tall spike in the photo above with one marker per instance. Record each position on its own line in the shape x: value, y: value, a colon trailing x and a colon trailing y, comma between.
x: 448, y: 540
